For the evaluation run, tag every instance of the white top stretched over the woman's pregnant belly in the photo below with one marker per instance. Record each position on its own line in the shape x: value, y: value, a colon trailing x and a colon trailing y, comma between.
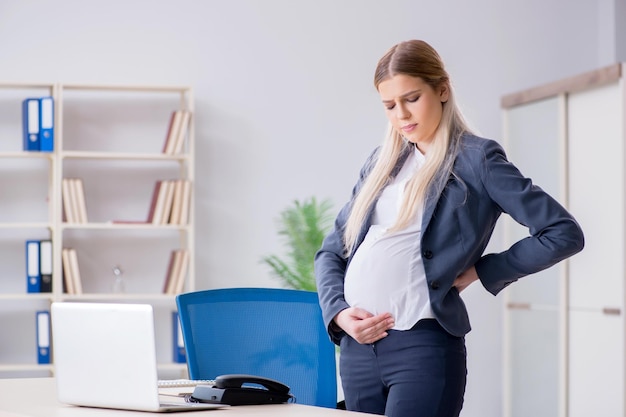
x: 386, y: 273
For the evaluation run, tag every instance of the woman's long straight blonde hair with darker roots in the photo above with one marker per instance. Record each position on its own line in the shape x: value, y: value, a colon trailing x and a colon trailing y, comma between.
x: 415, y: 58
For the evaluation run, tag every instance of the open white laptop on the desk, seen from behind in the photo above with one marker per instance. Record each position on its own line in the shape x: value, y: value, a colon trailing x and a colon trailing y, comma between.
x: 105, y: 356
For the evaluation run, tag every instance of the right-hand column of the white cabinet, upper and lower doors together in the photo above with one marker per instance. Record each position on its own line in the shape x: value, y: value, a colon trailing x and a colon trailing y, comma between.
x: 596, y: 279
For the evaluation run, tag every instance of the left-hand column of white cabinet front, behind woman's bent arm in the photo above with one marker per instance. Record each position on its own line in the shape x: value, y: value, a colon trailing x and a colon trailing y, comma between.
x: 533, y: 345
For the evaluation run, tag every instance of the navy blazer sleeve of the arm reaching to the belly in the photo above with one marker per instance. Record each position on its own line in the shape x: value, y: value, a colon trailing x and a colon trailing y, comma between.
x: 331, y: 262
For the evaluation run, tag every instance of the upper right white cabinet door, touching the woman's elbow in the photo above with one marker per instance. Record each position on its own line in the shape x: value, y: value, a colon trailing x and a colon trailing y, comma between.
x: 596, y: 169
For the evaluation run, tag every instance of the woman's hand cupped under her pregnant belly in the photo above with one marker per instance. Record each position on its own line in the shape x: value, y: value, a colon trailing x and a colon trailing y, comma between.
x: 363, y: 326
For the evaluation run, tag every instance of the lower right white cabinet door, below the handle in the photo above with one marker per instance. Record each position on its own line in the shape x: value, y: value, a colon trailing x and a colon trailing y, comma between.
x: 596, y: 364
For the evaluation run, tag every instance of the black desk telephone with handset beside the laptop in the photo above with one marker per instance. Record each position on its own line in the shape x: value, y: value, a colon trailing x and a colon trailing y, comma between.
x: 231, y: 389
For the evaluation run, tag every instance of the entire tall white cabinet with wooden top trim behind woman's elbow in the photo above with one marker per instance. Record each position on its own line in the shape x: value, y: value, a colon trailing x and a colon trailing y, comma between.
x: 564, y: 343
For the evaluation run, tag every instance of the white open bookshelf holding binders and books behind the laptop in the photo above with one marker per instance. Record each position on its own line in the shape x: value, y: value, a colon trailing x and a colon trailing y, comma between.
x: 112, y: 138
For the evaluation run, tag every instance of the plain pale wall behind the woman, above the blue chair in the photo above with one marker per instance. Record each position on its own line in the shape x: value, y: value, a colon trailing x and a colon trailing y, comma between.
x: 285, y: 103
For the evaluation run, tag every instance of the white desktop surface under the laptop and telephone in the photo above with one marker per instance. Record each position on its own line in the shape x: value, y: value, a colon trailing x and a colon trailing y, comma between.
x: 36, y: 397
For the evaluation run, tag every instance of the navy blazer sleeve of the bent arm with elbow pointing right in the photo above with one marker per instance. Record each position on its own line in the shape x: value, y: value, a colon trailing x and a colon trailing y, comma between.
x: 554, y: 234
